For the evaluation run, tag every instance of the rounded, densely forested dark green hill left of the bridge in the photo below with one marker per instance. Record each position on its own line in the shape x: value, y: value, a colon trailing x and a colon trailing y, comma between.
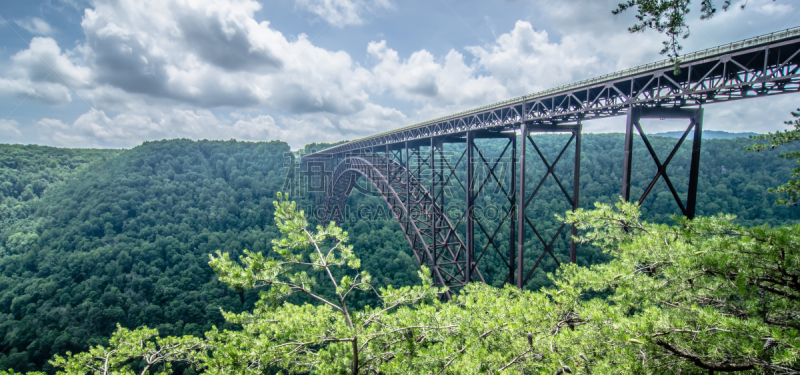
x: 127, y: 241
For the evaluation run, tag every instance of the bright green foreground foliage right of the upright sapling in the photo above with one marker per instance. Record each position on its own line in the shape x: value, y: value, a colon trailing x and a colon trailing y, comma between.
x: 702, y: 295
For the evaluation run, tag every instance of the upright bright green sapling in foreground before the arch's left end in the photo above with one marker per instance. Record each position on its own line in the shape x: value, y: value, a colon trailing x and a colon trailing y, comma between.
x: 325, y: 337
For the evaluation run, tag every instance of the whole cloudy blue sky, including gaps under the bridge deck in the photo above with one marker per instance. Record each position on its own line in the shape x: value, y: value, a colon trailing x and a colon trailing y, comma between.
x: 116, y: 73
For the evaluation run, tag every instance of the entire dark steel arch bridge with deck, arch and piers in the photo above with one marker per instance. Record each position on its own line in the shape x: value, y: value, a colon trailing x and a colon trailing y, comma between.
x: 415, y: 168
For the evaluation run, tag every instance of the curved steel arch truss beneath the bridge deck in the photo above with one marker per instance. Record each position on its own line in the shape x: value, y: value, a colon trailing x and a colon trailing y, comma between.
x: 430, y: 233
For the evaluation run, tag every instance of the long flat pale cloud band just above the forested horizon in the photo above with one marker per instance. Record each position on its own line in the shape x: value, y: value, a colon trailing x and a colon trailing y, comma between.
x: 97, y: 129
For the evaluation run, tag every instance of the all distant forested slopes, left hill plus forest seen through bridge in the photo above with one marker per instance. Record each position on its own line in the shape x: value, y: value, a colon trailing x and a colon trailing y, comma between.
x: 128, y: 239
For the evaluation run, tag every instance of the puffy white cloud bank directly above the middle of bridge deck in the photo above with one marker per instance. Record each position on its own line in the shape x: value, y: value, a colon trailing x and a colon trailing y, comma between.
x: 519, y: 62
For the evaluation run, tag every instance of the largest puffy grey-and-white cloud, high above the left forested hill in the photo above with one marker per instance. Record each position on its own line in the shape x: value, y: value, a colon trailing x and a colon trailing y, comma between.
x: 215, y: 54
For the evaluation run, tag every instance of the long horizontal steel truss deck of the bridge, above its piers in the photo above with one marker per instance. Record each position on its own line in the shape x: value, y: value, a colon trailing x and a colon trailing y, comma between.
x: 761, y: 66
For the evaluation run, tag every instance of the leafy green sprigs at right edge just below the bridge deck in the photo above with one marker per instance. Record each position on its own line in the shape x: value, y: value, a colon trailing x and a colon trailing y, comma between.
x: 792, y: 187
